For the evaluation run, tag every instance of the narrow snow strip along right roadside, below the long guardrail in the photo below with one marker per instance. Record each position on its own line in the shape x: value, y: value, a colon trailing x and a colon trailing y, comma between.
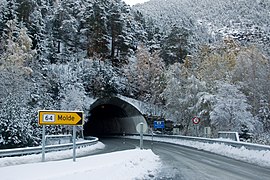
x: 260, y: 158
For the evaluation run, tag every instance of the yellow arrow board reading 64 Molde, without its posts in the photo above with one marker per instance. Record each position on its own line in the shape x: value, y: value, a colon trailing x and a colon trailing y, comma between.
x: 46, y: 117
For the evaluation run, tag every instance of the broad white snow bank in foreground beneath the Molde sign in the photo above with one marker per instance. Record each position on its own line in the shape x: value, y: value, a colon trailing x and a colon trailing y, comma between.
x: 130, y: 164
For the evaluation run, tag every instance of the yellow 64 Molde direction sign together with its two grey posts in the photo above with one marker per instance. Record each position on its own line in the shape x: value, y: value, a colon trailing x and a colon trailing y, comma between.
x: 52, y: 117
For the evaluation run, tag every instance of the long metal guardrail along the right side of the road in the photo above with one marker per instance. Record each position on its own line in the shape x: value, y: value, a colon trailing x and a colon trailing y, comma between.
x: 249, y: 146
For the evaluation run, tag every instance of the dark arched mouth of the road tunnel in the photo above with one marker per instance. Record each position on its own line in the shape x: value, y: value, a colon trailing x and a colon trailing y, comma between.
x: 110, y: 116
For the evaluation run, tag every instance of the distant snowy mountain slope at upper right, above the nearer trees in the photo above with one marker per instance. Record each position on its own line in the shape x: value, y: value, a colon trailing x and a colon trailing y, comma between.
x: 209, y: 20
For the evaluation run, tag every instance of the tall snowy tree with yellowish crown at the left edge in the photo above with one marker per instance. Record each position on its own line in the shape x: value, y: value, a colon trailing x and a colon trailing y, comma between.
x: 16, y: 113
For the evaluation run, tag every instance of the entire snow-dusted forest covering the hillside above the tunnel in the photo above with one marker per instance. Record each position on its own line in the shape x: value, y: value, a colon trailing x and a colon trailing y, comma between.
x: 62, y: 54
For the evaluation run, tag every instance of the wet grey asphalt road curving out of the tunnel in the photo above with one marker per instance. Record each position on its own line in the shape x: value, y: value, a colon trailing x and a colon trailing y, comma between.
x: 191, y: 164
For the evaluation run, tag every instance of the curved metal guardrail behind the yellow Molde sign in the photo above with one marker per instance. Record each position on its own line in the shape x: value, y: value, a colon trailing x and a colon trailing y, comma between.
x: 36, y: 150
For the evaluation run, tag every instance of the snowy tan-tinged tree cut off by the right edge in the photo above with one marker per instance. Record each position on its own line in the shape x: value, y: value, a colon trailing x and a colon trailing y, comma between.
x: 251, y: 72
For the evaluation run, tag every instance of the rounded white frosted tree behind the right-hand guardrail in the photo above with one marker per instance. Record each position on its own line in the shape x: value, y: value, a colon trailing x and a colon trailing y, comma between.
x: 231, y: 110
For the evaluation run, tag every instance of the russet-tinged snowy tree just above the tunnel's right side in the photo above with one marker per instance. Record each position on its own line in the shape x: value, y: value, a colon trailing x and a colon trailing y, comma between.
x: 147, y: 76
